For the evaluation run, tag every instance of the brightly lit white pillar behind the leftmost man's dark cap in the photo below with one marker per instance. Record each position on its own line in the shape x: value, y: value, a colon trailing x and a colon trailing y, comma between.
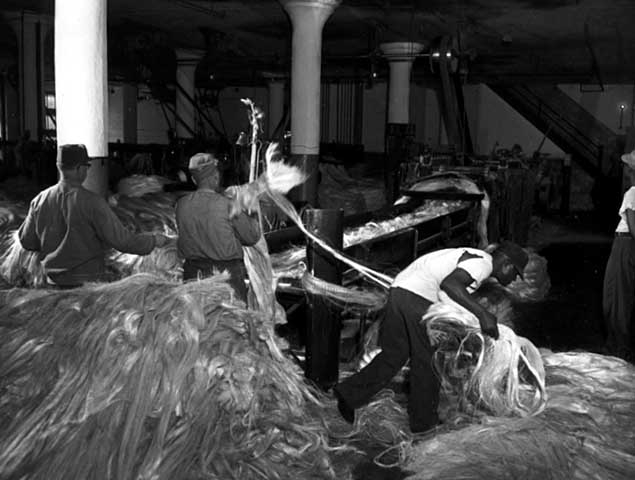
x: 81, y: 83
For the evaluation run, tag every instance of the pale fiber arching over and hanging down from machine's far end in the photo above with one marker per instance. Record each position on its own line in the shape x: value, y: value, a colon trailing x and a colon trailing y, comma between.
x: 455, y: 182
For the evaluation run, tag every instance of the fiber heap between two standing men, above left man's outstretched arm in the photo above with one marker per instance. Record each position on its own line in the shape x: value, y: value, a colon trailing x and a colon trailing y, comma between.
x: 153, y: 212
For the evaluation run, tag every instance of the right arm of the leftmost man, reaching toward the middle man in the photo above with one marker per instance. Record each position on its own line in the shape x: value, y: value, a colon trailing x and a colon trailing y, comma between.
x: 114, y: 234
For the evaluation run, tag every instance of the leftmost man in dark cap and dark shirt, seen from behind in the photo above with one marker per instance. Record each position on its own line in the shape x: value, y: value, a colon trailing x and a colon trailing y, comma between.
x: 72, y: 228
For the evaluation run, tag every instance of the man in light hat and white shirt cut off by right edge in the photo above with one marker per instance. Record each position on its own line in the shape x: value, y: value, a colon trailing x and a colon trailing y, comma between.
x: 618, y: 296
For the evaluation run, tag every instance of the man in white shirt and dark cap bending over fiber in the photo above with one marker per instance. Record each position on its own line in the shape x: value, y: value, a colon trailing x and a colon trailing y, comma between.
x: 445, y: 275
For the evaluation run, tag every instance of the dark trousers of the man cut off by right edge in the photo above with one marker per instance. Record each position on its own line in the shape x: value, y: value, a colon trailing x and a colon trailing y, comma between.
x: 618, y: 295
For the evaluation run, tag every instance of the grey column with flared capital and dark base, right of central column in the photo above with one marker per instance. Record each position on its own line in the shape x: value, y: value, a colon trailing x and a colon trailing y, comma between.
x: 399, y: 131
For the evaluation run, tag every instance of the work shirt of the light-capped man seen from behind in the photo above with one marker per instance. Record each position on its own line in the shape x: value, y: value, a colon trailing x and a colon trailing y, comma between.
x: 207, y: 232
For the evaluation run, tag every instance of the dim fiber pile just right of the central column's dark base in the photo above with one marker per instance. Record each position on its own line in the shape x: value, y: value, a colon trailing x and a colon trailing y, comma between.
x: 339, y: 190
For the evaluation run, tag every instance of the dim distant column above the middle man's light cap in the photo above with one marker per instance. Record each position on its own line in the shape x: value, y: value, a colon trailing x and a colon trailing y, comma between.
x: 186, y: 62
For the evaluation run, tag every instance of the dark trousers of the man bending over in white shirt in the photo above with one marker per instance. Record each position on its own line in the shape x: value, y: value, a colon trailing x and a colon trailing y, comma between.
x: 401, y: 337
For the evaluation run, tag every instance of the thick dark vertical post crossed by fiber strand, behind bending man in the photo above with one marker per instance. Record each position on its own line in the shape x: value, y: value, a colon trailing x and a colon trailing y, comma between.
x: 323, y: 321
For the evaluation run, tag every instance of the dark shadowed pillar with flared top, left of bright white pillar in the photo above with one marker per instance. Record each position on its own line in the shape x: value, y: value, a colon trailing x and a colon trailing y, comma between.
x: 30, y: 30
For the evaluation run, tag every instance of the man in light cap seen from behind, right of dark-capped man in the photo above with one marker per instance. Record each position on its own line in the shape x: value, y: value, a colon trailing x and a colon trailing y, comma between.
x: 209, y: 240
